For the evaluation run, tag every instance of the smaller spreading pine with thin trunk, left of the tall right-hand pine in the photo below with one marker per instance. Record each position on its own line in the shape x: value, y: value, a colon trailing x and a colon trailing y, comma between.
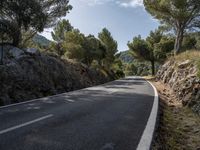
x: 154, y: 48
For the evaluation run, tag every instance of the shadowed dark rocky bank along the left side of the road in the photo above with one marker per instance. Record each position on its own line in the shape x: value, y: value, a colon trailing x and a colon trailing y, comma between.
x: 29, y: 74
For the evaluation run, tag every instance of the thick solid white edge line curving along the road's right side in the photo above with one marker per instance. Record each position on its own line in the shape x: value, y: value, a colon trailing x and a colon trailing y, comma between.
x: 146, y: 140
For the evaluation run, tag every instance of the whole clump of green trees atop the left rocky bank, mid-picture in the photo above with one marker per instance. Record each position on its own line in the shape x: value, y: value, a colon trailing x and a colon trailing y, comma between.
x: 99, y: 53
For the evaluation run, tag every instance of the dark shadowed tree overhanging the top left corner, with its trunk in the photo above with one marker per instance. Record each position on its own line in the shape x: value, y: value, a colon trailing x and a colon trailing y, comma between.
x: 22, y: 15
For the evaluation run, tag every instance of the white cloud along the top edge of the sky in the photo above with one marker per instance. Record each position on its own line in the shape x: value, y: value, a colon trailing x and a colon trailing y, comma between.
x: 123, y: 3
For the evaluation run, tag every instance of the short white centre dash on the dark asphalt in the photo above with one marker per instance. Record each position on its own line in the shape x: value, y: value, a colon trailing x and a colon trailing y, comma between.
x: 25, y: 124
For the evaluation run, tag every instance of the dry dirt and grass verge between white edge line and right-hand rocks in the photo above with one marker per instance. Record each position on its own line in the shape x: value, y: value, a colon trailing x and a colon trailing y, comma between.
x: 178, y: 127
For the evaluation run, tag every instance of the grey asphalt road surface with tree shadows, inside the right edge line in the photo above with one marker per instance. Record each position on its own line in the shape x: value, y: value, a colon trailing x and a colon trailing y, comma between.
x: 112, y: 116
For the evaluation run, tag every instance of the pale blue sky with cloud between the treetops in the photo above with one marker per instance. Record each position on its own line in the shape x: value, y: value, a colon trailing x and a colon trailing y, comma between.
x: 123, y: 18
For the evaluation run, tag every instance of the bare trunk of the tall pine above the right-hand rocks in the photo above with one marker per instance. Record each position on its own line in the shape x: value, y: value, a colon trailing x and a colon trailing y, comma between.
x: 178, y: 41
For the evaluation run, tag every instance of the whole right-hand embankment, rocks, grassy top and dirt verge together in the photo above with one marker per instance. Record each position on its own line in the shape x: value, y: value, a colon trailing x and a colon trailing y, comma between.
x: 178, y: 85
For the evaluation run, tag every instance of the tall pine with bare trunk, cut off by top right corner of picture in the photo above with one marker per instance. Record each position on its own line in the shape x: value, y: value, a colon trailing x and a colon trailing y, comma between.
x: 179, y: 15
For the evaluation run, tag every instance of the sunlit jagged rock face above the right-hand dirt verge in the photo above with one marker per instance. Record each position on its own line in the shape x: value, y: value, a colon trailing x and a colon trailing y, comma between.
x: 183, y: 80
